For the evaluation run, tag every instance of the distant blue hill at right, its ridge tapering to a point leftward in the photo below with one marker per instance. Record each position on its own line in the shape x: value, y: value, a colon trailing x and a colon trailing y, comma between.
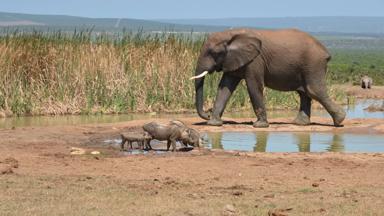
x: 346, y: 25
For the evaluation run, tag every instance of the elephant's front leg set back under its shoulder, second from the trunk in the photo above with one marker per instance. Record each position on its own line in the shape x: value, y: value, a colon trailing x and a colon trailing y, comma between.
x: 255, y: 89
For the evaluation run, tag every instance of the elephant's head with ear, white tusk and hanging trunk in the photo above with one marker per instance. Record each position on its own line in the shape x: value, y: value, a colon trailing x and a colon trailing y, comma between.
x: 223, y: 51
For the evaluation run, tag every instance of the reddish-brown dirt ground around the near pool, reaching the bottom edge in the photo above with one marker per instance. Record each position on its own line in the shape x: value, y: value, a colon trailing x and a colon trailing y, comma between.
x: 39, y: 176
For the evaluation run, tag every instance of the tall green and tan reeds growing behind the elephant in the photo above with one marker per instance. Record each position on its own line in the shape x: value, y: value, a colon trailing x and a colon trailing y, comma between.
x: 59, y: 73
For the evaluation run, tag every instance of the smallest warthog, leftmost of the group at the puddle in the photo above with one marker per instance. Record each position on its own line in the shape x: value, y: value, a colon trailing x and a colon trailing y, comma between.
x: 142, y: 139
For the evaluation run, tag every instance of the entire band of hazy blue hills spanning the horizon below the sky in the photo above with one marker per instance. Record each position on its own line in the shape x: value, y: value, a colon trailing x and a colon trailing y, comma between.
x: 317, y: 25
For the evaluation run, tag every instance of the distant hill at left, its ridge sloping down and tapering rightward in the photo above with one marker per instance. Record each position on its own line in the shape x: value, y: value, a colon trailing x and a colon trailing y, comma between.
x: 63, y: 22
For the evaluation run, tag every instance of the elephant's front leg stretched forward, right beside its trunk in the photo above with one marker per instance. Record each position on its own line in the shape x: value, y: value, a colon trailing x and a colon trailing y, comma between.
x: 227, y: 85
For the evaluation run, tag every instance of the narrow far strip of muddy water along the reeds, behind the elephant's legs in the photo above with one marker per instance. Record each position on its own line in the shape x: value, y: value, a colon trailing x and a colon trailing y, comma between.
x: 353, y: 111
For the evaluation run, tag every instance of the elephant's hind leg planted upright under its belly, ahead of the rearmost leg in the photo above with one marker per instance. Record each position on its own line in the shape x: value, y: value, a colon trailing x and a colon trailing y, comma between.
x: 304, y: 115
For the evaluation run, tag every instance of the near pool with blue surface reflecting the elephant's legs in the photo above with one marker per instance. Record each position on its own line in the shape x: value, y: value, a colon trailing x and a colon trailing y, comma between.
x: 294, y: 142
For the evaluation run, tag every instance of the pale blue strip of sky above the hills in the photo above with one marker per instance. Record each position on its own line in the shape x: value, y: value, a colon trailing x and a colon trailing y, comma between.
x: 153, y: 9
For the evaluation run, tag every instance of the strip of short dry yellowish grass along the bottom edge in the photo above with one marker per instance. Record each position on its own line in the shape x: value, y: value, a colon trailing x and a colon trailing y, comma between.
x: 100, y: 195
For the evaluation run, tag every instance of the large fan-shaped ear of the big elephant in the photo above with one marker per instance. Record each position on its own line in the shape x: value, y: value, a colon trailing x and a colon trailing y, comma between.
x: 241, y: 50
